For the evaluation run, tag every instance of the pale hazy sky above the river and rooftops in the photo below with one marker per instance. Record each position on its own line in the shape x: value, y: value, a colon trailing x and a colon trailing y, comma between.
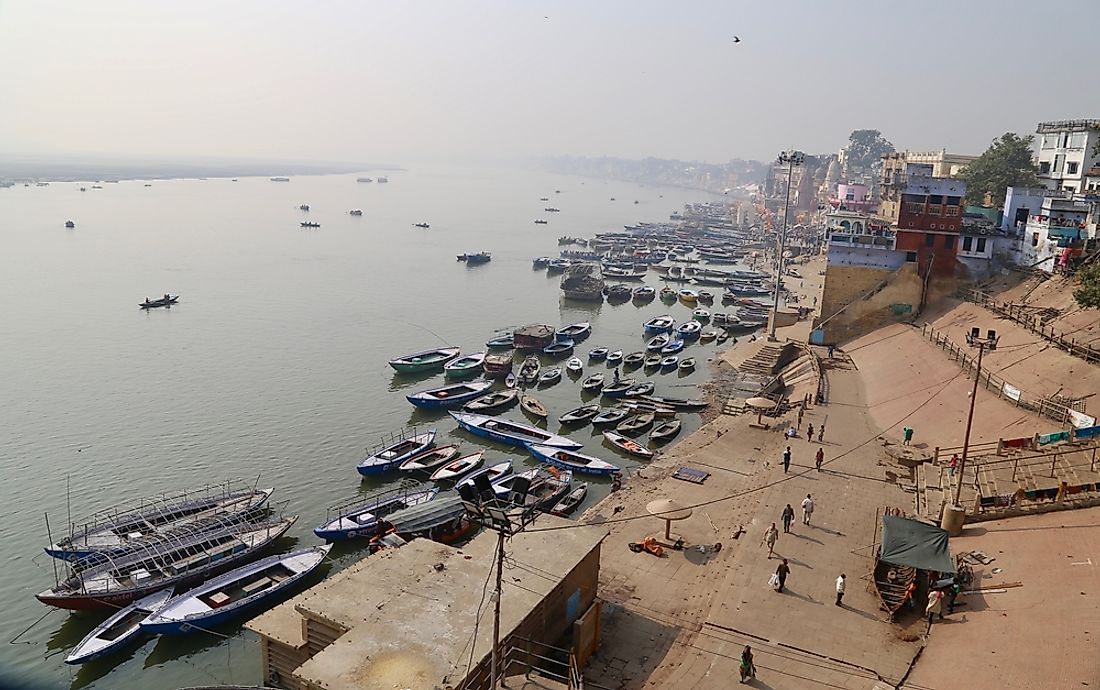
x: 394, y: 81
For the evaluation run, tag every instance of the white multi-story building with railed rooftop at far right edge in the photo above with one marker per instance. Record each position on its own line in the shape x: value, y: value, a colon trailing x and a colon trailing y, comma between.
x: 1068, y: 154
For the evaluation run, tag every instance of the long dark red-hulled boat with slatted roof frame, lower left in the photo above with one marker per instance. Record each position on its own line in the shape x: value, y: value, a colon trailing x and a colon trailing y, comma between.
x: 189, y: 556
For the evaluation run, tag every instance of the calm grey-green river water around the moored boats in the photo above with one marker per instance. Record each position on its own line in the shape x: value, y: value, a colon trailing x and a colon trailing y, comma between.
x: 272, y: 366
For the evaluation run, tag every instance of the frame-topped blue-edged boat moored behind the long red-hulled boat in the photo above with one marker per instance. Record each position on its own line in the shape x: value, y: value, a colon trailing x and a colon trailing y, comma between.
x: 125, y: 527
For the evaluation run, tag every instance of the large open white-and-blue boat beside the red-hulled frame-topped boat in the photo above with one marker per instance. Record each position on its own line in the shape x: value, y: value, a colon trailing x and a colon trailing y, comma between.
x: 236, y: 593
